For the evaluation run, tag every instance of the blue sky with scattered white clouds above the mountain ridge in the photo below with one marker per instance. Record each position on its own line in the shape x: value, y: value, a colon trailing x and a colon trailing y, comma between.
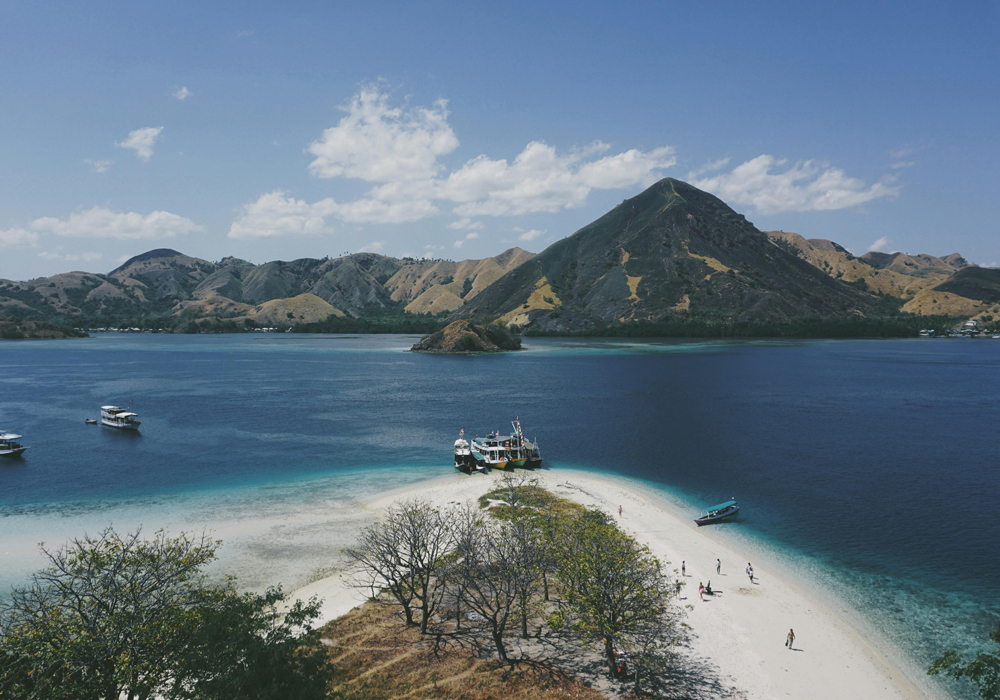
x: 456, y: 130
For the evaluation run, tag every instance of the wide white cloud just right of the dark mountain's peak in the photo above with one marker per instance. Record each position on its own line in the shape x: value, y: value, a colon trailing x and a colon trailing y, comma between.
x: 805, y: 186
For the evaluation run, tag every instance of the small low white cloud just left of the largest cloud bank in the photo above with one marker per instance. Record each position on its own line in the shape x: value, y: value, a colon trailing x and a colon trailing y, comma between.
x: 276, y: 215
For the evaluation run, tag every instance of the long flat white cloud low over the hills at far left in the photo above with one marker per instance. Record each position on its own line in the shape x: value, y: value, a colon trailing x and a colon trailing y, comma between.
x: 101, y: 222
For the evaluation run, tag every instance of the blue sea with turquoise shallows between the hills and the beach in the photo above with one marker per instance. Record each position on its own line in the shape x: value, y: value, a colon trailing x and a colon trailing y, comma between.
x: 870, y: 468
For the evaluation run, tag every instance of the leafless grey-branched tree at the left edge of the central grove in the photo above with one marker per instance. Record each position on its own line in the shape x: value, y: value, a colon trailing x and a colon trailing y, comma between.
x: 402, y: 554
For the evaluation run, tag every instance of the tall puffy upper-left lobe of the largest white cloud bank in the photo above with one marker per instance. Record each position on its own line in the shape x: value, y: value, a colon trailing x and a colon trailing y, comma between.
x: 381, y: 144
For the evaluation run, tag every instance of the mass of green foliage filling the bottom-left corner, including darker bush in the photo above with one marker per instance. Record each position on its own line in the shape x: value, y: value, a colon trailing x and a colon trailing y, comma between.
x: 121, y: 616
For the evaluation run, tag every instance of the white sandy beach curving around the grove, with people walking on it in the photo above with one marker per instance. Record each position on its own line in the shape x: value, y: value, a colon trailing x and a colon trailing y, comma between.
x: 741, y: 631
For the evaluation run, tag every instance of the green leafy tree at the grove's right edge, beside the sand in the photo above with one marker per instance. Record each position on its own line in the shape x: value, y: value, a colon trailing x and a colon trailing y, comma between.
x: 613, y: 586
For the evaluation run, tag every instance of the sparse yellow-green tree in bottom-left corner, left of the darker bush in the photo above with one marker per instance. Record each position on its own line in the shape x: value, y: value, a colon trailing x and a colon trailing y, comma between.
x: 109, y: 616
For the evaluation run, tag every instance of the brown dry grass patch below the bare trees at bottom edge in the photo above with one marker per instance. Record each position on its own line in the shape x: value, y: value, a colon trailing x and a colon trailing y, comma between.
x: 378, y: 657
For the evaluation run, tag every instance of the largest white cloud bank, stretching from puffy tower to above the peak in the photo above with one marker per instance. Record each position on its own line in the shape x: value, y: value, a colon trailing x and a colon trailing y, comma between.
x: 399, y: 150
